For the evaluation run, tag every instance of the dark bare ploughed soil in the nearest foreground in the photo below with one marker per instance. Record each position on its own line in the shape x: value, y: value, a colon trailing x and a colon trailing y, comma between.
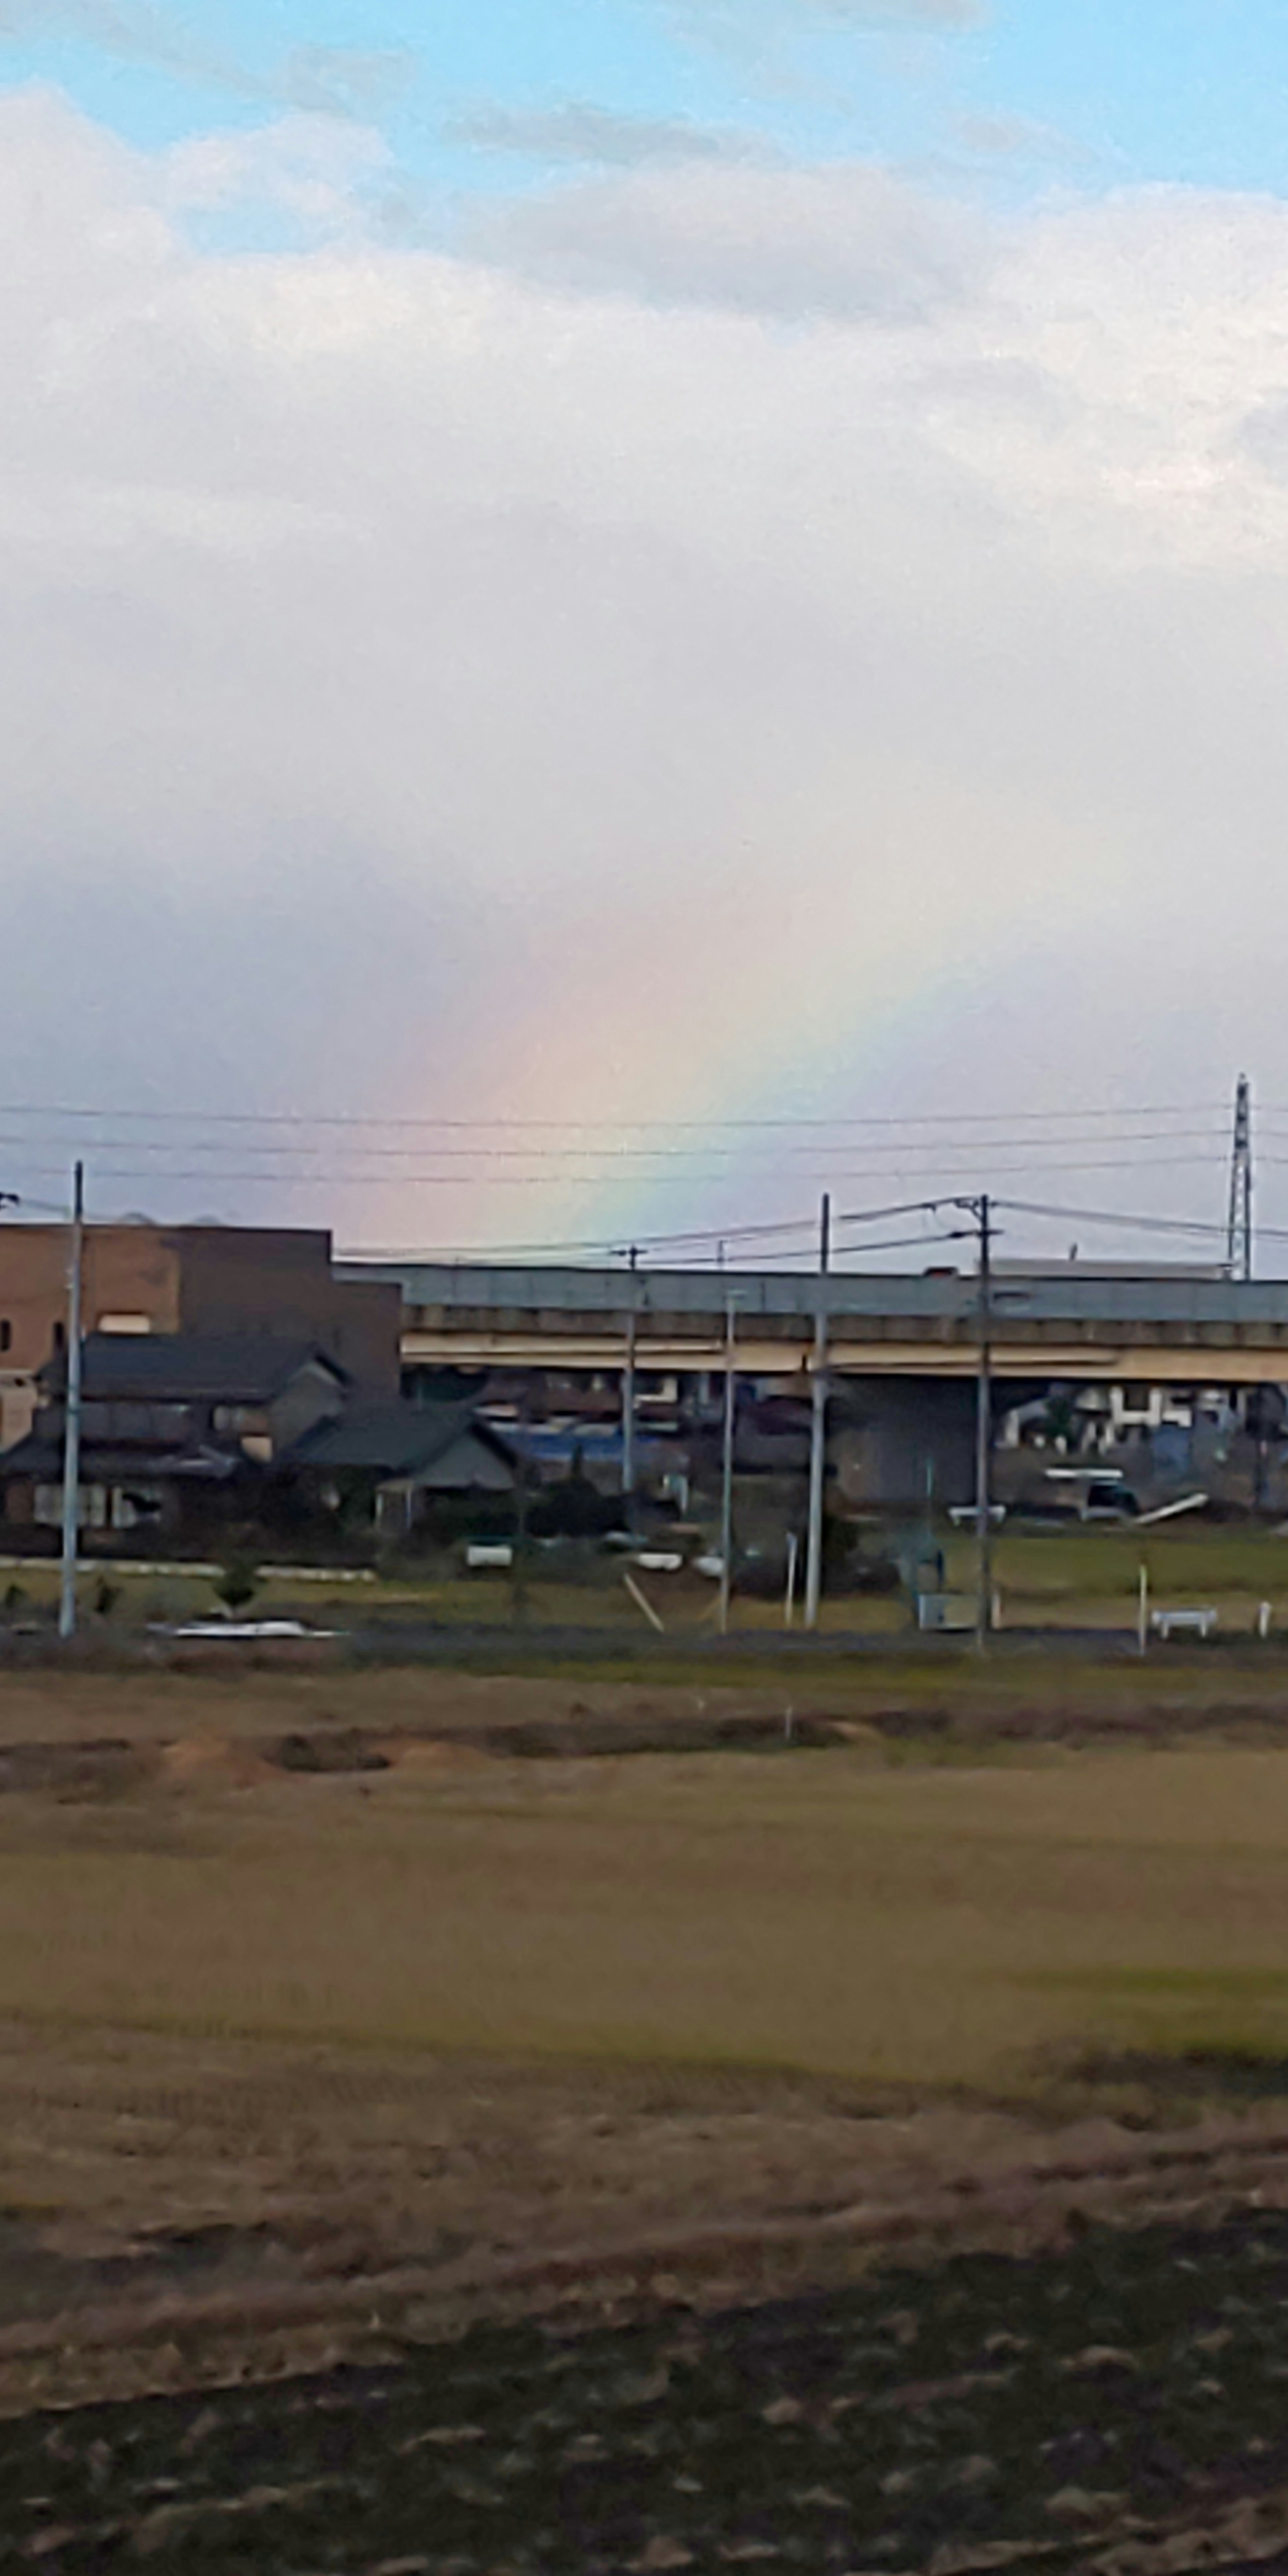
x: 1106, y: 2410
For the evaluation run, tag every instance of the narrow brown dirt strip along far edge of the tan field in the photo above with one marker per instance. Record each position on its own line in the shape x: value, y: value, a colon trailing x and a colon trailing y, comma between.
x: 269, y: 1694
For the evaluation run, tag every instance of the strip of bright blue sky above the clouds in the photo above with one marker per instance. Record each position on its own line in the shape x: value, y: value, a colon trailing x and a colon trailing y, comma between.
x: 1027, y: 94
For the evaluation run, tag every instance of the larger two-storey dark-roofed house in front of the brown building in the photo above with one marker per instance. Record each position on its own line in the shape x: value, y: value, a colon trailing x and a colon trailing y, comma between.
x: 171, y: 1426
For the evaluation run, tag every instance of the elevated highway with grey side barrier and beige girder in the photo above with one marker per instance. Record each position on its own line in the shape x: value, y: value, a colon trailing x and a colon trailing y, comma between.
x: 1081, y: 1328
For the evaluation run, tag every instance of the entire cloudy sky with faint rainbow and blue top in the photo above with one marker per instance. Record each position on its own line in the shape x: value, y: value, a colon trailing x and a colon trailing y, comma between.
x: 622, y: 612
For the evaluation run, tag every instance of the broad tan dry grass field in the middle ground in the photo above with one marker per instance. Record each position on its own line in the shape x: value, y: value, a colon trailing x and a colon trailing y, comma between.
x: 898, y: 1926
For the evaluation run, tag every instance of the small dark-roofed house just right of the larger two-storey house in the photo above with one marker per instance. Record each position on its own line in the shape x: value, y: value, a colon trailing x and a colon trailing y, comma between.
x: 395, y: 1462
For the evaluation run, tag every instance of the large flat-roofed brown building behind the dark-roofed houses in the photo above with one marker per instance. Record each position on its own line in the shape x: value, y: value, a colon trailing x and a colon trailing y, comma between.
x: 205, y: 1282
